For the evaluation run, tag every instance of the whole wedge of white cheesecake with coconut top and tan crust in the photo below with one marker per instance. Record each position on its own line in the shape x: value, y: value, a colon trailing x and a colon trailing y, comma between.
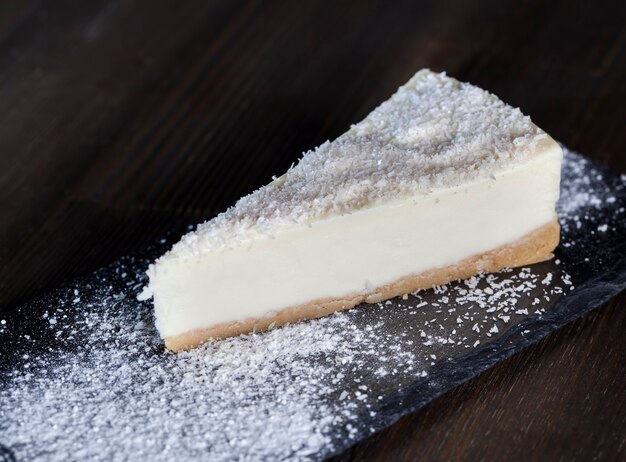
x: 440, y: 182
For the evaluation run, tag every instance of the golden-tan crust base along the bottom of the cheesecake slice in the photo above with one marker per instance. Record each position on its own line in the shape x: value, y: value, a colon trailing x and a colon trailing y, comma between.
x: 534, y: 247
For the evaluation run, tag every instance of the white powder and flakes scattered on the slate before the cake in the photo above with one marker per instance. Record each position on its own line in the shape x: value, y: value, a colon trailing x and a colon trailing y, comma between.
x: 274, y: 395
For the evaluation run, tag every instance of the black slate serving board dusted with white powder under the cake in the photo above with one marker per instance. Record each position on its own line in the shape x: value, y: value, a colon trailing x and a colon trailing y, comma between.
x: 401, y: 354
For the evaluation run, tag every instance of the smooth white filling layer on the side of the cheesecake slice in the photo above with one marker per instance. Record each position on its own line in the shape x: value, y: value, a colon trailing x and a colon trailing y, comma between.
x: 348, y: 254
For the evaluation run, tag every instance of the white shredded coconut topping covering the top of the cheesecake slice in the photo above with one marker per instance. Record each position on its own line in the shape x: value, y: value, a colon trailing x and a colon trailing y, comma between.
x: 434, y: 132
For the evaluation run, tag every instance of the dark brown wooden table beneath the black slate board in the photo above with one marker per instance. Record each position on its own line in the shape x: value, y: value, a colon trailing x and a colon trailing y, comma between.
x: 122, y: 121
